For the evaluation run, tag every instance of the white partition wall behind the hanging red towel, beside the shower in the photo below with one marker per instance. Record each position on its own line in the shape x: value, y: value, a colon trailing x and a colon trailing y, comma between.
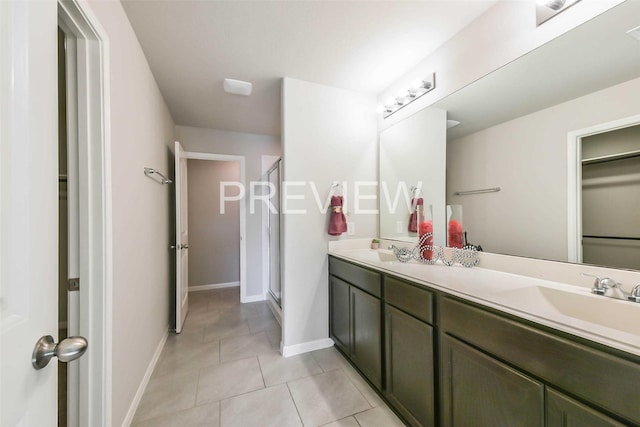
x: 329, y: 134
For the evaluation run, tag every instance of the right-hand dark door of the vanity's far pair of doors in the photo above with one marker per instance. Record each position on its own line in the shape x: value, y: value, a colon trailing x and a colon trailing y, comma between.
x: 366, y: 348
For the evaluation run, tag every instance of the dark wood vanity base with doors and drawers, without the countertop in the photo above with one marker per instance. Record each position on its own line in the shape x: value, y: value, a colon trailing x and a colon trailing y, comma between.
x: 442, y: 360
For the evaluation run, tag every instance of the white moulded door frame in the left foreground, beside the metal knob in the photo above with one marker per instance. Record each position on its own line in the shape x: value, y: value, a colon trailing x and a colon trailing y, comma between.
x: 95, y: 208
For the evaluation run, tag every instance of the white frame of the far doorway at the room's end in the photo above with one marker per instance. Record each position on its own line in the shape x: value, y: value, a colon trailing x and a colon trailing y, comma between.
x: 243, y: 215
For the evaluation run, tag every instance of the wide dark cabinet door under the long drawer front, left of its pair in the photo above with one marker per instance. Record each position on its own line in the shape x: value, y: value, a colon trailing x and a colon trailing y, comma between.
x: 478, y: 390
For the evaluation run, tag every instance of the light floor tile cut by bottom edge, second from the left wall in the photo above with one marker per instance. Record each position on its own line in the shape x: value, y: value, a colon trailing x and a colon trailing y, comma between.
x: 269, y: 407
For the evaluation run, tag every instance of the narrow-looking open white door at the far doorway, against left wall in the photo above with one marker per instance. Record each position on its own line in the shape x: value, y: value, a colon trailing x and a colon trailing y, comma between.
x: 182, y: 238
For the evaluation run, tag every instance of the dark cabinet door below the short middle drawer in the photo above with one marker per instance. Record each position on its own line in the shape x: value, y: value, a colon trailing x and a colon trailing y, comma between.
x: 409, y: 371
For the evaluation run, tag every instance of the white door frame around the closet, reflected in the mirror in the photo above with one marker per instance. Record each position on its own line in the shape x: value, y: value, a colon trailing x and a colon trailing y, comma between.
x: 574, y: 180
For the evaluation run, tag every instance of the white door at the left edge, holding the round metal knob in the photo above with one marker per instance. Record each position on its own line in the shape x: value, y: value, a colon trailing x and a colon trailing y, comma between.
x: 29, y: 210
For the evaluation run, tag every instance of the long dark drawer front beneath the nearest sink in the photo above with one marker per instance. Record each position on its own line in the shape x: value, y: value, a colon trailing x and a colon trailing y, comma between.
x: 606, y: 380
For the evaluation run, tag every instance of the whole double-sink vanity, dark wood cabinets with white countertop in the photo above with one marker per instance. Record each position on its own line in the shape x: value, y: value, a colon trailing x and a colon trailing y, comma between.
x: 450, y: 346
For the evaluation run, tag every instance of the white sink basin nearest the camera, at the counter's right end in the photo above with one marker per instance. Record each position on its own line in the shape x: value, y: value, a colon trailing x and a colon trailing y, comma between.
x: 578, y: 304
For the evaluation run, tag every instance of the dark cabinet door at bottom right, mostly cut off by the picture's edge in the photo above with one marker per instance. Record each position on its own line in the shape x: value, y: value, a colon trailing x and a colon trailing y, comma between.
x: 565, y: 412
